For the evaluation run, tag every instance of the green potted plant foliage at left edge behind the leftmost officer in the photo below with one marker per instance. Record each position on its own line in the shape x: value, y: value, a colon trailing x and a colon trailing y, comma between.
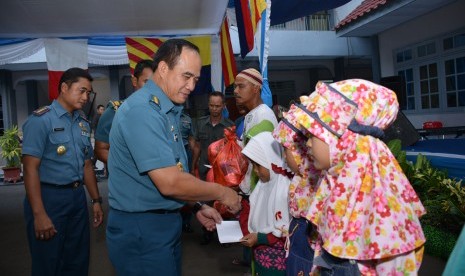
x: 11, y: 147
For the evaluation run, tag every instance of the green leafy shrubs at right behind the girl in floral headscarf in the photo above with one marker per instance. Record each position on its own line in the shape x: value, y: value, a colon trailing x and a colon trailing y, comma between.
x: 443, y: 198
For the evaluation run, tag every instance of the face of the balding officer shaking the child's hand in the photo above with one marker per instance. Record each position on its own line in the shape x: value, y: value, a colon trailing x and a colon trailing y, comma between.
x: 179, y: 82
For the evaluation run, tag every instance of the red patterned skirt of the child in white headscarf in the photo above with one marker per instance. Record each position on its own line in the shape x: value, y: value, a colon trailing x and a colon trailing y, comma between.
x: 271, y: 257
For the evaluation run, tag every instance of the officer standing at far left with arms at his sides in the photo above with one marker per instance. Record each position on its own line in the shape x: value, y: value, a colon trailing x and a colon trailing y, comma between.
x: 57, y: 162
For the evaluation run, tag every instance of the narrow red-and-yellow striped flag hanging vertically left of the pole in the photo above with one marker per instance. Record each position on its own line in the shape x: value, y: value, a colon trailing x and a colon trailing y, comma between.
x: 228, y: 63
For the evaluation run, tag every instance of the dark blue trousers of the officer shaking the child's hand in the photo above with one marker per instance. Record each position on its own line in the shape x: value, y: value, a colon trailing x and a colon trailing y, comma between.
x: 144, y: 243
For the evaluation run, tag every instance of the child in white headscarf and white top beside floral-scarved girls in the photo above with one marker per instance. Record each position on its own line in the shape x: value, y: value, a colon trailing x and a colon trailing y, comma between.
x: 269, y: 212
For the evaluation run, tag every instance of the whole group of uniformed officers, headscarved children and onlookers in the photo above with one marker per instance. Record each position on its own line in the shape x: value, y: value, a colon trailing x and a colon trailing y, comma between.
x: 323, y: 195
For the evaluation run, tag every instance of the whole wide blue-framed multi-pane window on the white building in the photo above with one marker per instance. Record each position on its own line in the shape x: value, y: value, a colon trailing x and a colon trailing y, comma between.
x: 434, y: 74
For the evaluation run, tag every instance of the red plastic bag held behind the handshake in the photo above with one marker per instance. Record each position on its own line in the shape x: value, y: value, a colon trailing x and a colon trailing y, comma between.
x: 228, y: 163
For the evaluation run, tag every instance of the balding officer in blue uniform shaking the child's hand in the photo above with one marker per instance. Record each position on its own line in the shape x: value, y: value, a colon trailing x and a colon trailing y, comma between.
x: 149, y: 180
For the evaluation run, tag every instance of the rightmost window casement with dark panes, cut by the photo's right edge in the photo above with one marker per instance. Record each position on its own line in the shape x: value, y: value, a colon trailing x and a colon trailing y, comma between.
x: 455, y: 82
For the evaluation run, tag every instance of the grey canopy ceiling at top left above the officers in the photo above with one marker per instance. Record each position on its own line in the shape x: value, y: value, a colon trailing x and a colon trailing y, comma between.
x: 61, y: 18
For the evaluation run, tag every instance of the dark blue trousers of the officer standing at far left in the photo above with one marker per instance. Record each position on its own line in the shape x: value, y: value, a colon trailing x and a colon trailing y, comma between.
x: 67, y: 253
